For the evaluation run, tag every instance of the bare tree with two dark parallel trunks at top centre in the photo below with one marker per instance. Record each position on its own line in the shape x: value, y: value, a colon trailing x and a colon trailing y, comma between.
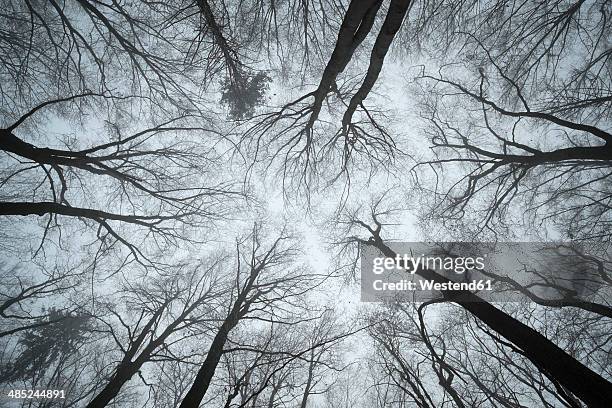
x: 293, y: 126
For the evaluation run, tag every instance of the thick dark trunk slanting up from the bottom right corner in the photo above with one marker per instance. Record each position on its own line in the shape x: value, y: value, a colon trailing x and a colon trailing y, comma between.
x: 580, y: 380
